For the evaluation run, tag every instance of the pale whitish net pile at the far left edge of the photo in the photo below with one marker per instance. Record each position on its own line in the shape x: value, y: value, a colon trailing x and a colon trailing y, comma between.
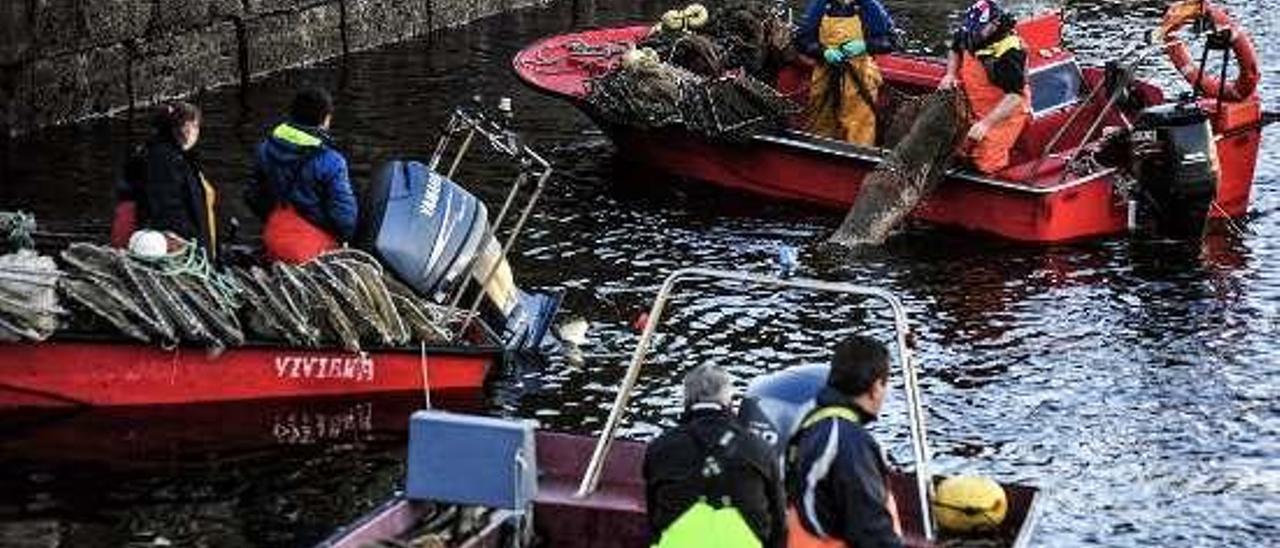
x: 29, y: 282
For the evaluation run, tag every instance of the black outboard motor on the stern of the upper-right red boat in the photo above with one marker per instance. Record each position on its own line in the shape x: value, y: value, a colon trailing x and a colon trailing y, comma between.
x: 1176, y: 163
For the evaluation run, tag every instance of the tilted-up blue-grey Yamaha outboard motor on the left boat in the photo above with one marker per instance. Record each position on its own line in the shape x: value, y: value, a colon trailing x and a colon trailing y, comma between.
x: 429, y: 231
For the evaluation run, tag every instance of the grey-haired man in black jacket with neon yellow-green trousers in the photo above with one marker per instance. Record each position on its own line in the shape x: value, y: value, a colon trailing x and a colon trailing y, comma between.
x: 711, y: 482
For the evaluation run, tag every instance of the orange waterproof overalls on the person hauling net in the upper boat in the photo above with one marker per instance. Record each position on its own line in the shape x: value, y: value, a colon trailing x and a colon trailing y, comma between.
x: 991, y: 154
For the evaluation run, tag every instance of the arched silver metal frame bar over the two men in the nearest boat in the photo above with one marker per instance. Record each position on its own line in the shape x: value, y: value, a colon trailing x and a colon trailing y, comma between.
x: 911, y: 383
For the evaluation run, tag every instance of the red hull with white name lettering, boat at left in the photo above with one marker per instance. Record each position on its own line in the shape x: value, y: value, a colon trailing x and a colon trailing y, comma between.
x: 63, y: 373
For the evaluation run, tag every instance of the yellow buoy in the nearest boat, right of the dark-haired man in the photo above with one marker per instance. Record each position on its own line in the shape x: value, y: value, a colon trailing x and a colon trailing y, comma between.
x: 970, y: 504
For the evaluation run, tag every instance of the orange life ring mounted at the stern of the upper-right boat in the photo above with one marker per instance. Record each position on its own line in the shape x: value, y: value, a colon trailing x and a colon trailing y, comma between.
x: 1187, y: 11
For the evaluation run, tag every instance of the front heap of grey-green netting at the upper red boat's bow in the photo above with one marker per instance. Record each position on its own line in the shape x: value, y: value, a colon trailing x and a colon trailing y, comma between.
x: 646, y: 93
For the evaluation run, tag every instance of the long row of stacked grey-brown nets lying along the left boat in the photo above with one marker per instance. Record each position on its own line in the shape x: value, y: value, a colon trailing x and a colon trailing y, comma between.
x: 341, y: 299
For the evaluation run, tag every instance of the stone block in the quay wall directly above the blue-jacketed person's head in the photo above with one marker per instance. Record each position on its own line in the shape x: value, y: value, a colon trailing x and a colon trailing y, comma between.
x: 292, y: 39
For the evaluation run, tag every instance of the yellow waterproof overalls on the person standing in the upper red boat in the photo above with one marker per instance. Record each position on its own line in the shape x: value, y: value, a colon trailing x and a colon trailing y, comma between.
x: 856, y: 120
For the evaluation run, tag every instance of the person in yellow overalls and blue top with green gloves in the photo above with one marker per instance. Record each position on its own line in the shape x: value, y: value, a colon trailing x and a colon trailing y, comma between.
x: 840, y: 36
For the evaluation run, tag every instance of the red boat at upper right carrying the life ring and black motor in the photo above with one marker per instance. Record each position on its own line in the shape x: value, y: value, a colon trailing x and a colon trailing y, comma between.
x: 1044, y: 197
